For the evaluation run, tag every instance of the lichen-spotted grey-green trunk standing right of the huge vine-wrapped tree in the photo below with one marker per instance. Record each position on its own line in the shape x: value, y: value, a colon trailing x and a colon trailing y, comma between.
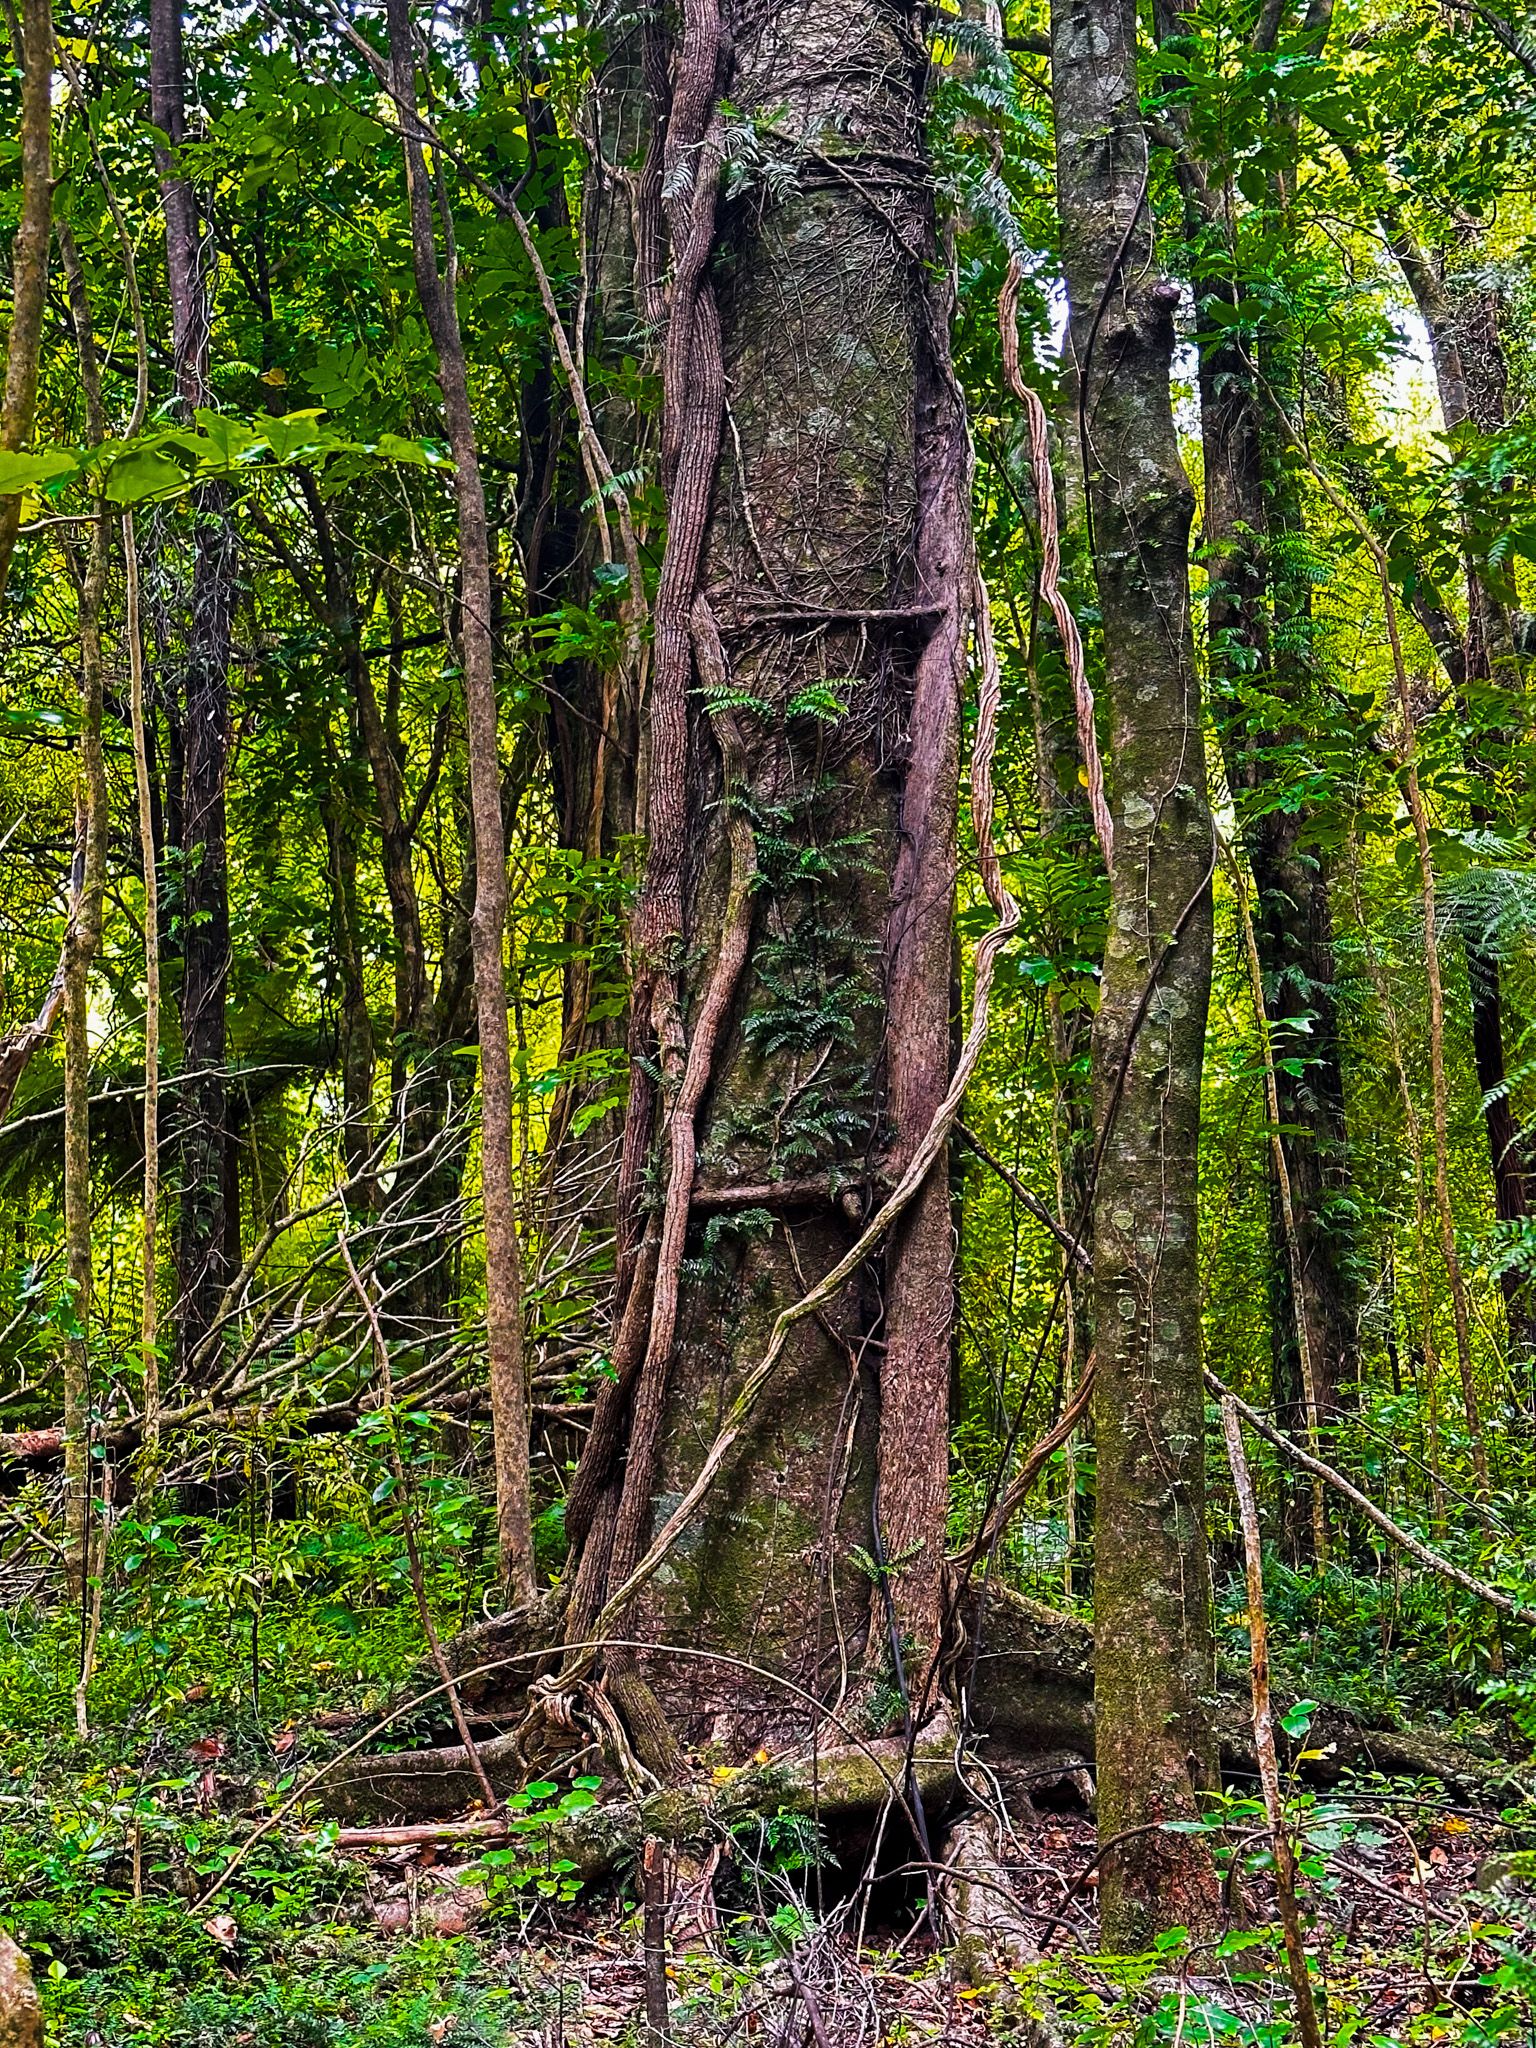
x: 1152, y: 1592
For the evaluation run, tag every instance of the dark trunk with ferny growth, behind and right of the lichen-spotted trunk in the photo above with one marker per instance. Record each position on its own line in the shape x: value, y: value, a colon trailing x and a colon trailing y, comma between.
x: 1258, y: 636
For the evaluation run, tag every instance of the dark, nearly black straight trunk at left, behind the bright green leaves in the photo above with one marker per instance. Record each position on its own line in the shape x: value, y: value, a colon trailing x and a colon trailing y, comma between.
x: 204, y: 914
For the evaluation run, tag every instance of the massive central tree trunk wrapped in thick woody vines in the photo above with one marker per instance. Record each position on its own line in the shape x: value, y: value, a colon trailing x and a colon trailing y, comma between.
x: 794, y: 931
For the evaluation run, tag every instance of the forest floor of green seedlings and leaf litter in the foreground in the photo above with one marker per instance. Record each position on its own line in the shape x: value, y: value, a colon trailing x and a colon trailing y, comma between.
x: 175, y: 1887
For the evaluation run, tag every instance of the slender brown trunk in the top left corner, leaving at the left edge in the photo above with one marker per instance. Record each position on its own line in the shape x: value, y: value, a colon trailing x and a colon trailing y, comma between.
x: 28, y: 253
